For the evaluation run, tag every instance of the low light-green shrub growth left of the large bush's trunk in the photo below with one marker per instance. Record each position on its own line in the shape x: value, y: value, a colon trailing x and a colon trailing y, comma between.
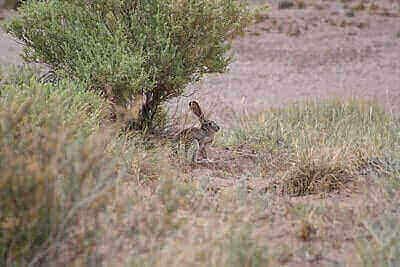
x: 66, y: 101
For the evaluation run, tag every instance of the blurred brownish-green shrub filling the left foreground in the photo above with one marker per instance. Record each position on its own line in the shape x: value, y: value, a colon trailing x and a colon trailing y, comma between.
x: 53, y: 169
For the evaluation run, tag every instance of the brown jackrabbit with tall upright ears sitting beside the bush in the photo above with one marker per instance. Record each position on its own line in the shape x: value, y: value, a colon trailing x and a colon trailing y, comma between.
x: 200, y: 137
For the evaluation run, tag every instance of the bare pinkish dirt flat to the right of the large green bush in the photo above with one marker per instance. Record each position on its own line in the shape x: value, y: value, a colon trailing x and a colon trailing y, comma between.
x: 327, y: 48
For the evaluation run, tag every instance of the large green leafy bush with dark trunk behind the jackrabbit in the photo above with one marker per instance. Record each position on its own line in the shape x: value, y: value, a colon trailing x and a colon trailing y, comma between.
x: 126, y: 48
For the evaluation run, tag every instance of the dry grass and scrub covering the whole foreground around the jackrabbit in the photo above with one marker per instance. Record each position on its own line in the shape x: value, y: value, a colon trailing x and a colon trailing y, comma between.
x: 312, y: 182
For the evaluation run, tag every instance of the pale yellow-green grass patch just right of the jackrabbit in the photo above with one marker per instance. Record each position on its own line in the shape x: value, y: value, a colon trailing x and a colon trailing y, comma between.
x: 315, y: 147
